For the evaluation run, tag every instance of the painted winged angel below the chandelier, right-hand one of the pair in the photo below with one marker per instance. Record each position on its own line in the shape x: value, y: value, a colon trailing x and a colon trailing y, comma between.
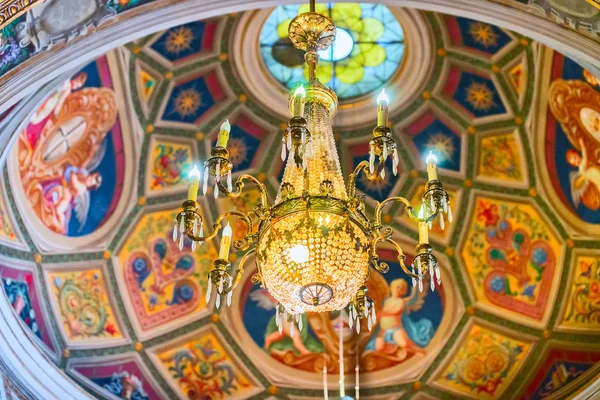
x: 396, y: 329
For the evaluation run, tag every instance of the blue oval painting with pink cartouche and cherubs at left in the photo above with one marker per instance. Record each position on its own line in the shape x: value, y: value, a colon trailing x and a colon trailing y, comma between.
x: 61, y: 150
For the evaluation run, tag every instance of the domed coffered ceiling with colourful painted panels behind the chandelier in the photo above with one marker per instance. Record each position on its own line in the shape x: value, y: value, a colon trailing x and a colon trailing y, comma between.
x: 97, y: 173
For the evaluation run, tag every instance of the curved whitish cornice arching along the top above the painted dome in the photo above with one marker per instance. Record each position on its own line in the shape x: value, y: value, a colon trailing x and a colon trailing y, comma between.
x: 162, y: 14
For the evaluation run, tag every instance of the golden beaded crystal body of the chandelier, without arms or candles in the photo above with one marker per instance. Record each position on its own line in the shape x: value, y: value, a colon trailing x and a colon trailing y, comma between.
x: 314, y: 255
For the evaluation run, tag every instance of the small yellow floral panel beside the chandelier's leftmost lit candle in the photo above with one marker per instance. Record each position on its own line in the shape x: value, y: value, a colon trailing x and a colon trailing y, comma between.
x: 170, y: 164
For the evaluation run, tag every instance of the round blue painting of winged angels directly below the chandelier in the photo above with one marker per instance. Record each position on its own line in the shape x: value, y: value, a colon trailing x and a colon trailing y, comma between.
x: 407, y: 320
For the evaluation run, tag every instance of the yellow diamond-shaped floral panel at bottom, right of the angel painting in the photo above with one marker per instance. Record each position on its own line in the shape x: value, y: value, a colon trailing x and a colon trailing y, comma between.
x: 484, y: 364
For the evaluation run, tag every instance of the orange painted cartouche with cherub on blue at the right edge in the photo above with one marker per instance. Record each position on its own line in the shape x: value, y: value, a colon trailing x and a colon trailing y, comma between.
x: 576, y: 105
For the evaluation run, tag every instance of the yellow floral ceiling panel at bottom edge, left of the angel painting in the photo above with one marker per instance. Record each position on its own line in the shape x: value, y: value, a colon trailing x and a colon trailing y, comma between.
x: 203, y: 369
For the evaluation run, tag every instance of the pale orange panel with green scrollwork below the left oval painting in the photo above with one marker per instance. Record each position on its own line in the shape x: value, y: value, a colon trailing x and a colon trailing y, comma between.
x: 83, y: 305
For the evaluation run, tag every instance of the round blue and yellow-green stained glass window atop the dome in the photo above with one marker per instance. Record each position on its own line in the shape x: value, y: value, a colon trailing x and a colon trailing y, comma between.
x: 368, y: 49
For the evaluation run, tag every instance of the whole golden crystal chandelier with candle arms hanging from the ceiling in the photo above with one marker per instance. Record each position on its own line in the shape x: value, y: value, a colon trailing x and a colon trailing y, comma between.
x: 315, y: 243
